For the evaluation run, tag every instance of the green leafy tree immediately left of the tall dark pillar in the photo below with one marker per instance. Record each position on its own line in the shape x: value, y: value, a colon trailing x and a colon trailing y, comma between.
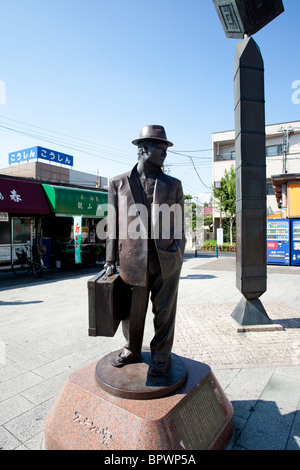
x: 225, y: 197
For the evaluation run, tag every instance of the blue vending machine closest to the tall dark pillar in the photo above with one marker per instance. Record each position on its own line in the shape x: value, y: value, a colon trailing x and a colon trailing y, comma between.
x: 278, y: 241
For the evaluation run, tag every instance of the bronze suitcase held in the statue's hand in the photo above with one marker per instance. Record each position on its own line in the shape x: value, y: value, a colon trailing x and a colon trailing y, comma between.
x: 109, y: 301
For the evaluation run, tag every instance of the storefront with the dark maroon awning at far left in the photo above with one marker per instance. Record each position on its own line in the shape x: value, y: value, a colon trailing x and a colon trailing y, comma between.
x: 22, y: 207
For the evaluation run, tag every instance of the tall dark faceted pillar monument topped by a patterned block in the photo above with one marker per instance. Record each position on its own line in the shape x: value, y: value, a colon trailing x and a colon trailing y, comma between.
x: 241, y: 18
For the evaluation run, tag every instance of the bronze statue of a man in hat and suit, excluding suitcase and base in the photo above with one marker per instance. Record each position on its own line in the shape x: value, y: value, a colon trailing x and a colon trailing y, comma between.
x: 146, y: 233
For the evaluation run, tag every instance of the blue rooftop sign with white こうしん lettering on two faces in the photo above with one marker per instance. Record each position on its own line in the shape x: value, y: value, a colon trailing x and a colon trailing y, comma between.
x: 40, y: 152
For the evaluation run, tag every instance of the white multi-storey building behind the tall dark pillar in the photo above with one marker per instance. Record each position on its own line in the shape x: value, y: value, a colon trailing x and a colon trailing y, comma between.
x: 282, y: 156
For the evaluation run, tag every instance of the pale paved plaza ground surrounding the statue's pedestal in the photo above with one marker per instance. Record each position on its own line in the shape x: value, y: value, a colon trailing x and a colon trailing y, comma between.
x: 43, y: 338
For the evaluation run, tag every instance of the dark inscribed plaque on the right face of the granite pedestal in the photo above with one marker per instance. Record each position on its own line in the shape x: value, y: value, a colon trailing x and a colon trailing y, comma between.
x: 199, y: 418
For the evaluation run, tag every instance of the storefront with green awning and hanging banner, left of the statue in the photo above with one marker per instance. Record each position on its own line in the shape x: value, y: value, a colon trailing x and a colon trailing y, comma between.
x: 71, y: 208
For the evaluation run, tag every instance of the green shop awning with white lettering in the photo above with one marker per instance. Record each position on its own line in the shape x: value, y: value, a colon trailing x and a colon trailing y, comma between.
x: 68, y: 202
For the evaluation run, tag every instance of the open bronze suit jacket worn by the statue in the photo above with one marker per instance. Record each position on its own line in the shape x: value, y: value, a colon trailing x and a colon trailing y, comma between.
x: 124, y: 218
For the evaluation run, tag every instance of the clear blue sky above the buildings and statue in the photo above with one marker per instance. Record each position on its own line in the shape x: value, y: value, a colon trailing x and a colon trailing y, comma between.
x: 98, y: 70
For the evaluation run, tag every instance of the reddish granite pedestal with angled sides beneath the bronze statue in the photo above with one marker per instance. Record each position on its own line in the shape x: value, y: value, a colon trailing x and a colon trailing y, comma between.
x: 195, y: 416
